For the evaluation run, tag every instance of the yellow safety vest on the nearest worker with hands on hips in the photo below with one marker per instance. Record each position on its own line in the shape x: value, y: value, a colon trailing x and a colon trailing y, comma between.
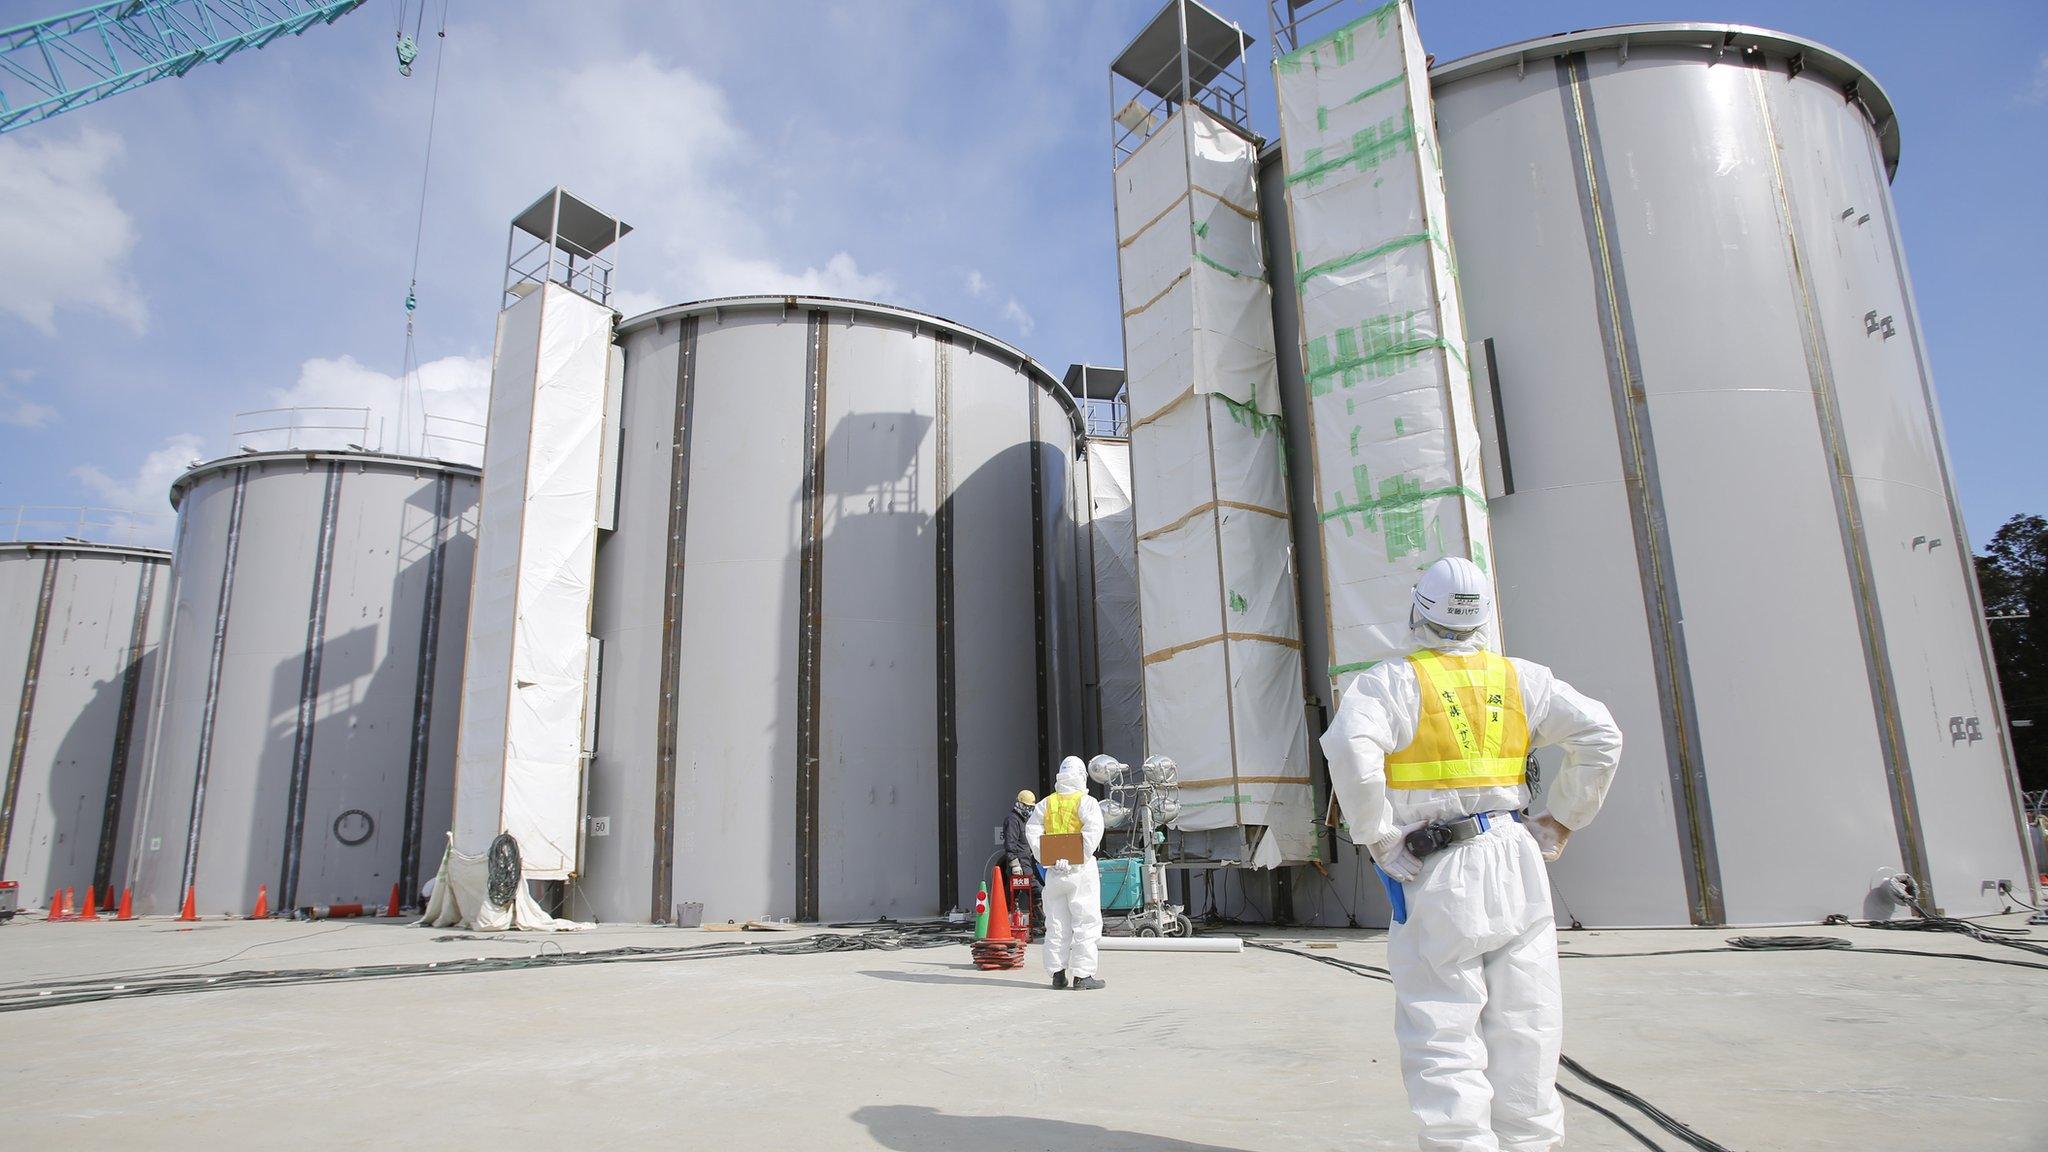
x: 1474, y: 731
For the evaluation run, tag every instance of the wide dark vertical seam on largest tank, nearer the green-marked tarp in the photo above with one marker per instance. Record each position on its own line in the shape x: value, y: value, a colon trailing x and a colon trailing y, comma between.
x: 1687, y: 759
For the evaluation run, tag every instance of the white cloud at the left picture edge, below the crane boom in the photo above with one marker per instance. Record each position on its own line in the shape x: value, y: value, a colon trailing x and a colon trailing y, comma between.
x: 65, y: 237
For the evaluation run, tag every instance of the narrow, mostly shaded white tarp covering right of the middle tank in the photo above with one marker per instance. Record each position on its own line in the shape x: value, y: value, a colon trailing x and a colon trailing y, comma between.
x: 1115, y: 587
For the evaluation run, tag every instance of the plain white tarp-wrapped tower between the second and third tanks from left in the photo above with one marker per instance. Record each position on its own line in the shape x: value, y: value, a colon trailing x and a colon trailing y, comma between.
x: 527, y: 661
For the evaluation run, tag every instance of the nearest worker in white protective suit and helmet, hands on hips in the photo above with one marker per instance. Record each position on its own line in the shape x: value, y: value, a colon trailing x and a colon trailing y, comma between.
x: 1437, y: 747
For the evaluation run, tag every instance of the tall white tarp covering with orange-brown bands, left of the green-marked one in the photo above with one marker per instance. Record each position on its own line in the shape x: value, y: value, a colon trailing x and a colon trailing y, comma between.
x: 1224, y: 684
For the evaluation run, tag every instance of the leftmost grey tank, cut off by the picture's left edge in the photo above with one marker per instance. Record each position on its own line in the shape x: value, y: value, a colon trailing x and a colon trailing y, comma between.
x: 79, y: 643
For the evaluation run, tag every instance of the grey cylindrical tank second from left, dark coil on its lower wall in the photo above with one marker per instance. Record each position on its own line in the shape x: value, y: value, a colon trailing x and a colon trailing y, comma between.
x: 306, y: 731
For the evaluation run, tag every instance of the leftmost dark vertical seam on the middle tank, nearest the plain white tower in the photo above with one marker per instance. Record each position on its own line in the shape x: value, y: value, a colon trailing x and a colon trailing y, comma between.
x: 673, y: 587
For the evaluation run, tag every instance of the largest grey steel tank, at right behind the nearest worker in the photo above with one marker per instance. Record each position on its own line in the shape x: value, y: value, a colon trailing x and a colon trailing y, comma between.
x: 1730, y: 509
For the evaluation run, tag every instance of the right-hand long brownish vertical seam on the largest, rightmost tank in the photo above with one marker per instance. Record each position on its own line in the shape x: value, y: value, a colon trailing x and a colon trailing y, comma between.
x: 1850, y: 518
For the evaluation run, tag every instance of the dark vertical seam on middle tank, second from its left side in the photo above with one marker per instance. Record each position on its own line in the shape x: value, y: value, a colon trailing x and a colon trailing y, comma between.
x: 810, y: 626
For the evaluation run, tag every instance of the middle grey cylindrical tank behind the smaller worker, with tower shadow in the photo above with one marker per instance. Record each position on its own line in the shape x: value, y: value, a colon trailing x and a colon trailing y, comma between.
x: 837, y: 612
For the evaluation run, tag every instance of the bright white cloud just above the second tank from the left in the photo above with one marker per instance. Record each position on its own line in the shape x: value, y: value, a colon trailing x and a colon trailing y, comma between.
x: 443, y: 419
